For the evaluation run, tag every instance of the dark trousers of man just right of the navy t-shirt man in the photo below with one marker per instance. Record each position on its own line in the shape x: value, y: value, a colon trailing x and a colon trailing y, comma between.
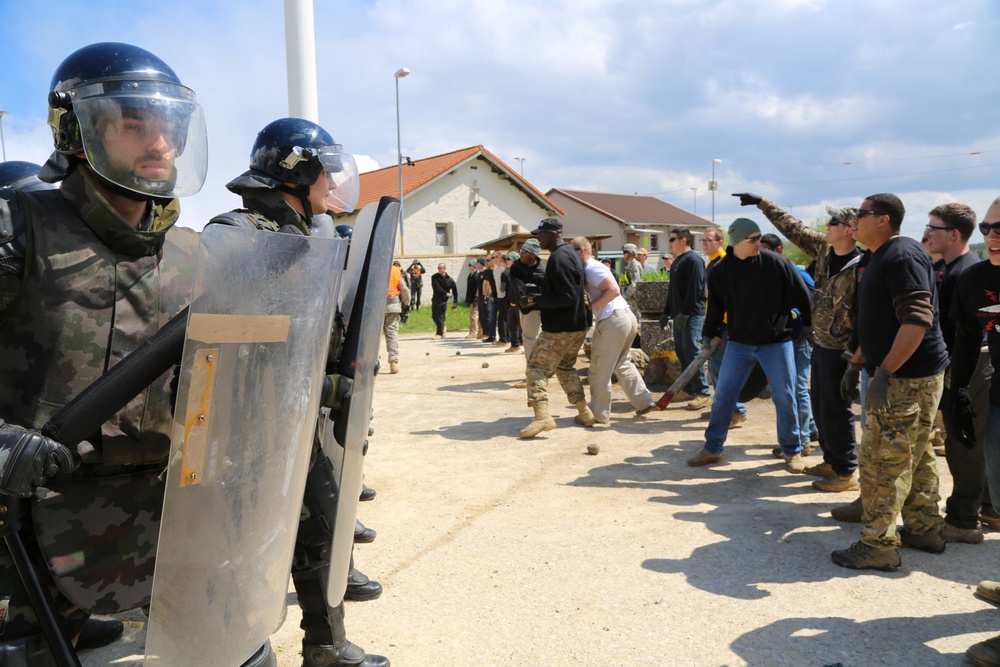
x: 968, y: 465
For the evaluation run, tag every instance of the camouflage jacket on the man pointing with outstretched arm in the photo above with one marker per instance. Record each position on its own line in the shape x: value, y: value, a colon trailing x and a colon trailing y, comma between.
x: 833, y: 296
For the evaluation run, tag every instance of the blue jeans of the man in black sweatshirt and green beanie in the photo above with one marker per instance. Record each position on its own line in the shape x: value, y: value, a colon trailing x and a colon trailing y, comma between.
x: 778, y: 362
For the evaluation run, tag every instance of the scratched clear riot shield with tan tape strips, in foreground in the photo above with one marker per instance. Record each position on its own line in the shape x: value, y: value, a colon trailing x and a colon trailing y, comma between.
x: 244, y: 423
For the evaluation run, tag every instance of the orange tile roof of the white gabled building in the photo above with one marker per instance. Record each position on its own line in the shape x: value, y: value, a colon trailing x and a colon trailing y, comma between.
x: 385, y: 181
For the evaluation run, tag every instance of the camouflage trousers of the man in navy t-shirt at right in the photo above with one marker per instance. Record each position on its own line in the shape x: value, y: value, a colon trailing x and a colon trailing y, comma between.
x: 897, y: 465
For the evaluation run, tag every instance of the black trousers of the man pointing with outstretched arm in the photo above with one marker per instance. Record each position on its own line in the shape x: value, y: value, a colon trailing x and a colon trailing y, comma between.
x: 834, y: 416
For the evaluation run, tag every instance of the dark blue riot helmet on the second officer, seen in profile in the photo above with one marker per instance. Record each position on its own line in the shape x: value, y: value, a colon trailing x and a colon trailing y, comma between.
x: 290, y: 154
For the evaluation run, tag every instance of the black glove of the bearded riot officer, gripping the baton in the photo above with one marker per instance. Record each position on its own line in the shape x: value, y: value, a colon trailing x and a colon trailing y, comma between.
x: 28, y: 459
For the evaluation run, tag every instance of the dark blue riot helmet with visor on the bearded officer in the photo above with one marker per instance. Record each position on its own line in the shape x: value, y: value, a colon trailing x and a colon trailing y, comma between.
x: 137, y: 125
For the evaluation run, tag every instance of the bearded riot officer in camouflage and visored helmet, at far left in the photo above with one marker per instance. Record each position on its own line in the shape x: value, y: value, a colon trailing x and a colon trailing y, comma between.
x: 105, y: 268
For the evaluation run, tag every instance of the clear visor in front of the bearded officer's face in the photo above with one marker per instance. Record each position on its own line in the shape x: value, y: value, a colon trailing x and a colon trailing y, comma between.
x: 148, y: 137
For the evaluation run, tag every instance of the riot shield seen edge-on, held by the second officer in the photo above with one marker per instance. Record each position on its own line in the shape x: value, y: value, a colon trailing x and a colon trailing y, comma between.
x: 366, y: 285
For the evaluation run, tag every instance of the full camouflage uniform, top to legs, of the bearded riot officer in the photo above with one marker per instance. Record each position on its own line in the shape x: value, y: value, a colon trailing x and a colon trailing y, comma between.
x: 93, y: 290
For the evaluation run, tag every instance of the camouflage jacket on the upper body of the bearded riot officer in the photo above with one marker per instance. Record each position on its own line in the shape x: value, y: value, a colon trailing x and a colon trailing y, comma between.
x: 92, y: 290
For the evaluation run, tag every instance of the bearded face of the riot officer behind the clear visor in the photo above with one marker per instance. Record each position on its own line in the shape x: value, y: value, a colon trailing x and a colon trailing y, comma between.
x: 140, y: 143
